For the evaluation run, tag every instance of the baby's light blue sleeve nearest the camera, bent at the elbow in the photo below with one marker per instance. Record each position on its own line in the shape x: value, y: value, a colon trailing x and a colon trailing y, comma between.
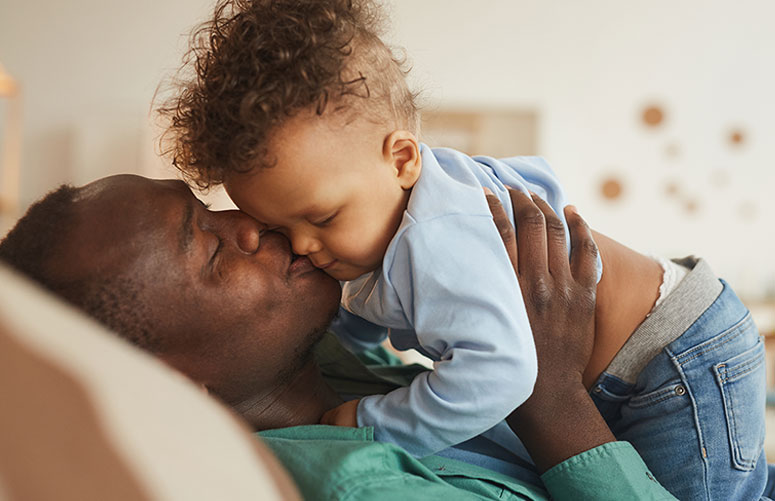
x: 458, y: 289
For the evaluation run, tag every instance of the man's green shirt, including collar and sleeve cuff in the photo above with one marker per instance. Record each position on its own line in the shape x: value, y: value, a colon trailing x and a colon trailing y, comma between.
x: 340, y: 463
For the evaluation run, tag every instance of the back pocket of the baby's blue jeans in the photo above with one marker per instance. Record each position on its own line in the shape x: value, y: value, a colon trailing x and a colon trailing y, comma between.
x: 742, y: 383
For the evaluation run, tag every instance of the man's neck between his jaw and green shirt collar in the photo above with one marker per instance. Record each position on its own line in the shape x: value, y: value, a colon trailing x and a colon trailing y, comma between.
x: 301, y: 400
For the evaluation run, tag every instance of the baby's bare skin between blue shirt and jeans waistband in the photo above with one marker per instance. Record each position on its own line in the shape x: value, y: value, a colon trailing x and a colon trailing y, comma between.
x: 626, y: 293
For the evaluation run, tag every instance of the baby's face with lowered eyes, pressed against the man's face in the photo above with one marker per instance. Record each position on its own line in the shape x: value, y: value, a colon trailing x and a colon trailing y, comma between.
x: 332, y: 192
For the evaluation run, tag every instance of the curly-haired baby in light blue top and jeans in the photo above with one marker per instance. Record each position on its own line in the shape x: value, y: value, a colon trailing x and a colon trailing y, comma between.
x: 305, y: 116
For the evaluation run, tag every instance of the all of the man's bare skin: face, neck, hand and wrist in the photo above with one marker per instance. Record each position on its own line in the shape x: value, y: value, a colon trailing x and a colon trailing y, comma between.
x: 238, y: 328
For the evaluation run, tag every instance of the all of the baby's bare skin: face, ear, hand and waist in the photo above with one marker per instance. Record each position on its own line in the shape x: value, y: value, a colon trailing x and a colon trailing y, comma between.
x: 340, y: 200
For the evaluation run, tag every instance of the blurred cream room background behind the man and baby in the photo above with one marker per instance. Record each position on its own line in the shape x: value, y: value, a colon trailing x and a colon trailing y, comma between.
x: 657, y: 116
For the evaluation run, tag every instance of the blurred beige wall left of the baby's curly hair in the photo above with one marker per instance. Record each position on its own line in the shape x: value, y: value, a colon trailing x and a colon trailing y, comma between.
x: 89, y: 69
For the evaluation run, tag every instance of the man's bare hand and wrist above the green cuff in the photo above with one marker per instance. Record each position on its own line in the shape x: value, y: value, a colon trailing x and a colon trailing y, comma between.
x: 559, y: 420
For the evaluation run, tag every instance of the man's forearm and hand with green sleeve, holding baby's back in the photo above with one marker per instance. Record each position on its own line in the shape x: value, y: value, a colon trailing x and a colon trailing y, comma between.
x: 559, y: 424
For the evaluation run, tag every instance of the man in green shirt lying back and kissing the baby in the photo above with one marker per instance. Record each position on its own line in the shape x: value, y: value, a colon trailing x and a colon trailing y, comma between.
x: 238, y: 313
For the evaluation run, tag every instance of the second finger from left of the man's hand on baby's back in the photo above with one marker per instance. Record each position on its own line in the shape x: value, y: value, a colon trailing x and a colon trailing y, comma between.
x: 531, y: 234
